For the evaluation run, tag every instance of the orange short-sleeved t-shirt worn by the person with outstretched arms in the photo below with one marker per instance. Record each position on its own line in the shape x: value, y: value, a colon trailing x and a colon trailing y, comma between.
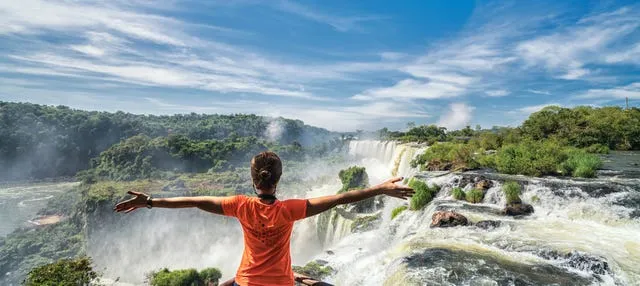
x: 267, y: 233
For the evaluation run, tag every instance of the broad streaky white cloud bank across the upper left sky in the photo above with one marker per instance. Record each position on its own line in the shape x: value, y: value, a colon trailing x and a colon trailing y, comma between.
x: 115, y: 46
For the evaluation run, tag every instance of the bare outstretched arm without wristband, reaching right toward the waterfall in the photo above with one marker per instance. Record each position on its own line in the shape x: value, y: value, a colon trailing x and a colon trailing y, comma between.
x: 389, y: 188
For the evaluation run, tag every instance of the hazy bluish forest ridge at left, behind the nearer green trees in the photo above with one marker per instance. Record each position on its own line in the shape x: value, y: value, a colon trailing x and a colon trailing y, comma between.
x: 38, y: 141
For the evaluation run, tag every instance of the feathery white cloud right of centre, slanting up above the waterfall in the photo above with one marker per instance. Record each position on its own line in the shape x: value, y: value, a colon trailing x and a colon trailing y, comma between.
x: 452, y: 68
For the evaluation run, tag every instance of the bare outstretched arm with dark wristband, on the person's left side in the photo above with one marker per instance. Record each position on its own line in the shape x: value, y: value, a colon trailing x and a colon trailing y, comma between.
x: 210, y: 204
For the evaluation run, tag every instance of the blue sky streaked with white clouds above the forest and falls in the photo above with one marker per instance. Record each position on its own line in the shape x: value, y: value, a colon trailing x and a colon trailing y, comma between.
x: 341, y: 65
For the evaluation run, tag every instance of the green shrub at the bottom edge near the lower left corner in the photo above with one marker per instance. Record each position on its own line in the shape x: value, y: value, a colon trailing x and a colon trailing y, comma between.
x: 63, y: 272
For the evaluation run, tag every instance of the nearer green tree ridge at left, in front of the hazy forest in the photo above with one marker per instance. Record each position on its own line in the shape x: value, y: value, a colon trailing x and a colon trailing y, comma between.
x: 143, y: 157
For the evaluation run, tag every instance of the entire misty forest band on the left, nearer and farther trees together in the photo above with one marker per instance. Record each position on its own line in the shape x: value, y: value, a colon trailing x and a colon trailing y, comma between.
x: 41, y: 141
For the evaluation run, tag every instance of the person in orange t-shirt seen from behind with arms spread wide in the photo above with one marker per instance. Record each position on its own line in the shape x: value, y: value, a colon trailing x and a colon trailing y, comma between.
x: 266, y: 221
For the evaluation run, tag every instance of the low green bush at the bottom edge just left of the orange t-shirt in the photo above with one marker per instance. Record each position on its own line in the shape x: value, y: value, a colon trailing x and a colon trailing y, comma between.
x: 185, y: 277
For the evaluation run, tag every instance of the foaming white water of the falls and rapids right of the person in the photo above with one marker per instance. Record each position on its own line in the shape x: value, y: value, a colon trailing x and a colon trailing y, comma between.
x: 567, y: 220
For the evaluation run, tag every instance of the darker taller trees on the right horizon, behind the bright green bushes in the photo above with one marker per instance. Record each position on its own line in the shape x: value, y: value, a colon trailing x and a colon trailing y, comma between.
x: 581, y: 127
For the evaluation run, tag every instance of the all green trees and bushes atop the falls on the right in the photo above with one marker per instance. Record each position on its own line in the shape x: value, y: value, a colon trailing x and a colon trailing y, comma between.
x: 553, y: 141
